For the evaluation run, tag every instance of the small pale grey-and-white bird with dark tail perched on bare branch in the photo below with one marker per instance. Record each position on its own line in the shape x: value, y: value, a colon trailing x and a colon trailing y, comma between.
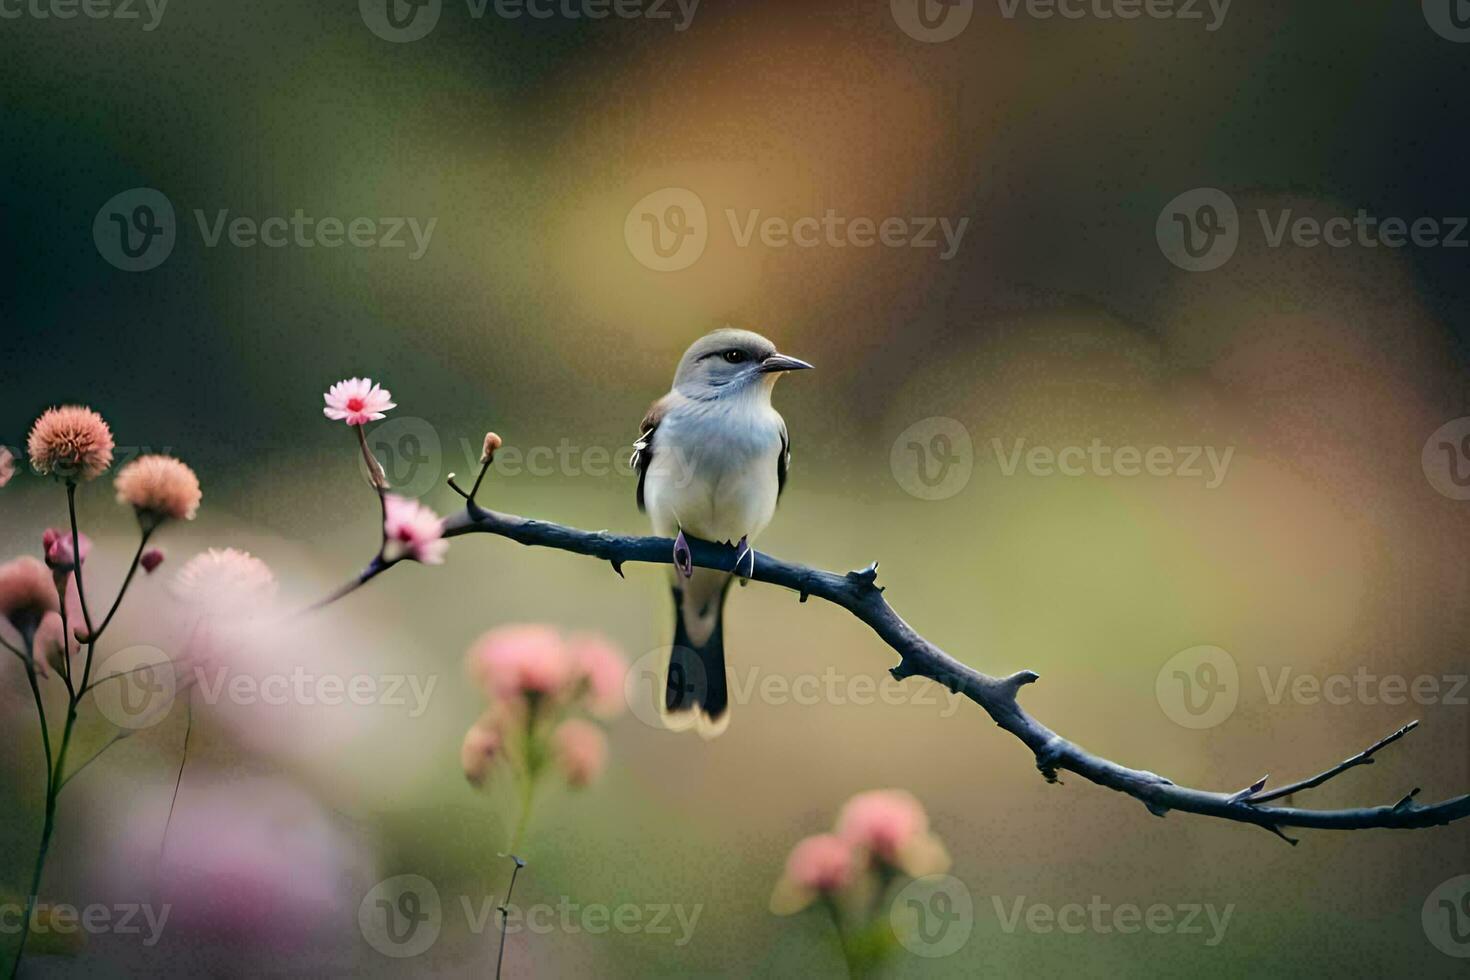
x: 712, y: 461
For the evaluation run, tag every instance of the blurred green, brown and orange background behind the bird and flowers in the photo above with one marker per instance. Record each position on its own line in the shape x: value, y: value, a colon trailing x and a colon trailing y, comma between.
x: 1327, y: 549
